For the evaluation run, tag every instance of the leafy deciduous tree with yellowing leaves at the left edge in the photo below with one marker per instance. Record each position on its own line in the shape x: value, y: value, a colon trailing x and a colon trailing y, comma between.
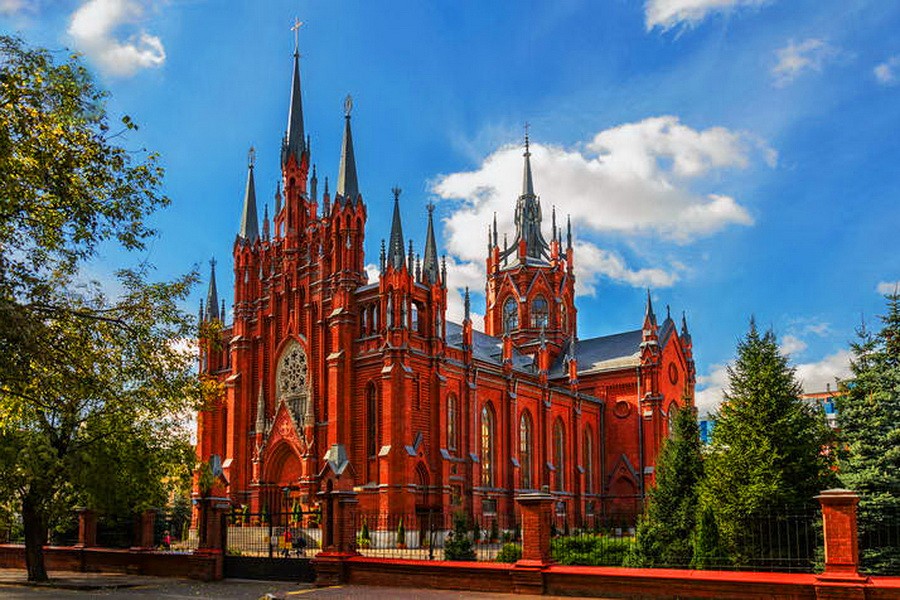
x: 91, y: 388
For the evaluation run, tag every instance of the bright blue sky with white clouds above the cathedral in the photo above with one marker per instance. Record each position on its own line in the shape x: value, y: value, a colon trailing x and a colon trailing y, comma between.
x: 738, y: 157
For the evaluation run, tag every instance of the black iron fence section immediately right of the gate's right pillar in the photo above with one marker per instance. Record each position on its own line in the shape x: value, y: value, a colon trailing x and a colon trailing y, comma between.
x: 435, y: 535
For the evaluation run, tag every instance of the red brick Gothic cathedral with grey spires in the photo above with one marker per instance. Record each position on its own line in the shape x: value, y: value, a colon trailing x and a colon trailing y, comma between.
x: 327, y: 372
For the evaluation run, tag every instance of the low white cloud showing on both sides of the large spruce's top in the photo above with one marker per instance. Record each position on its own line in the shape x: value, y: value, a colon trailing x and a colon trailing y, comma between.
x: 813, y: 377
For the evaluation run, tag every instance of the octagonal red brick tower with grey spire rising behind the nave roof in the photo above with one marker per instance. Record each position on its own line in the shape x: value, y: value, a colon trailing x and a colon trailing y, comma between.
x: 530, y: 284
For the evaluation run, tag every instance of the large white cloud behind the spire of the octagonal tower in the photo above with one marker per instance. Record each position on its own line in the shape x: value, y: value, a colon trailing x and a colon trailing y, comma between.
x: 636, y: 178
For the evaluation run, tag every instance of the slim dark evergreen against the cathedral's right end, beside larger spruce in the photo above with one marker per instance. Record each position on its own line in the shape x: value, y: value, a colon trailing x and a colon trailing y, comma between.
x: 665, y: 530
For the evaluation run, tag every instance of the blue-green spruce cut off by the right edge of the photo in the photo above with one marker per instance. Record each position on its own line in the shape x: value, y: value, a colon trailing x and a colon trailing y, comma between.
x: 869, y: 419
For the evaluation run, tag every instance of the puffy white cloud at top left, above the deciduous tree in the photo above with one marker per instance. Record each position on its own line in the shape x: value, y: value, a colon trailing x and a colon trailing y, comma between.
x: 94, y: 26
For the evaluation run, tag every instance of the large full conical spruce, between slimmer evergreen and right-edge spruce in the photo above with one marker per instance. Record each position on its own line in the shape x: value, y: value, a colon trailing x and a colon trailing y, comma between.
x: 768, y: 448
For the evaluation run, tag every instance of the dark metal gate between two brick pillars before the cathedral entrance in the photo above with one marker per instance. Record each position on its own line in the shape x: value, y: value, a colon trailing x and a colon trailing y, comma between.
x: 277, y: 546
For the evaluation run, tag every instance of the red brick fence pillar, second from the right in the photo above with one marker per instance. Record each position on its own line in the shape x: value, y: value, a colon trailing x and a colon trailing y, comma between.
x: 537, y: 514
